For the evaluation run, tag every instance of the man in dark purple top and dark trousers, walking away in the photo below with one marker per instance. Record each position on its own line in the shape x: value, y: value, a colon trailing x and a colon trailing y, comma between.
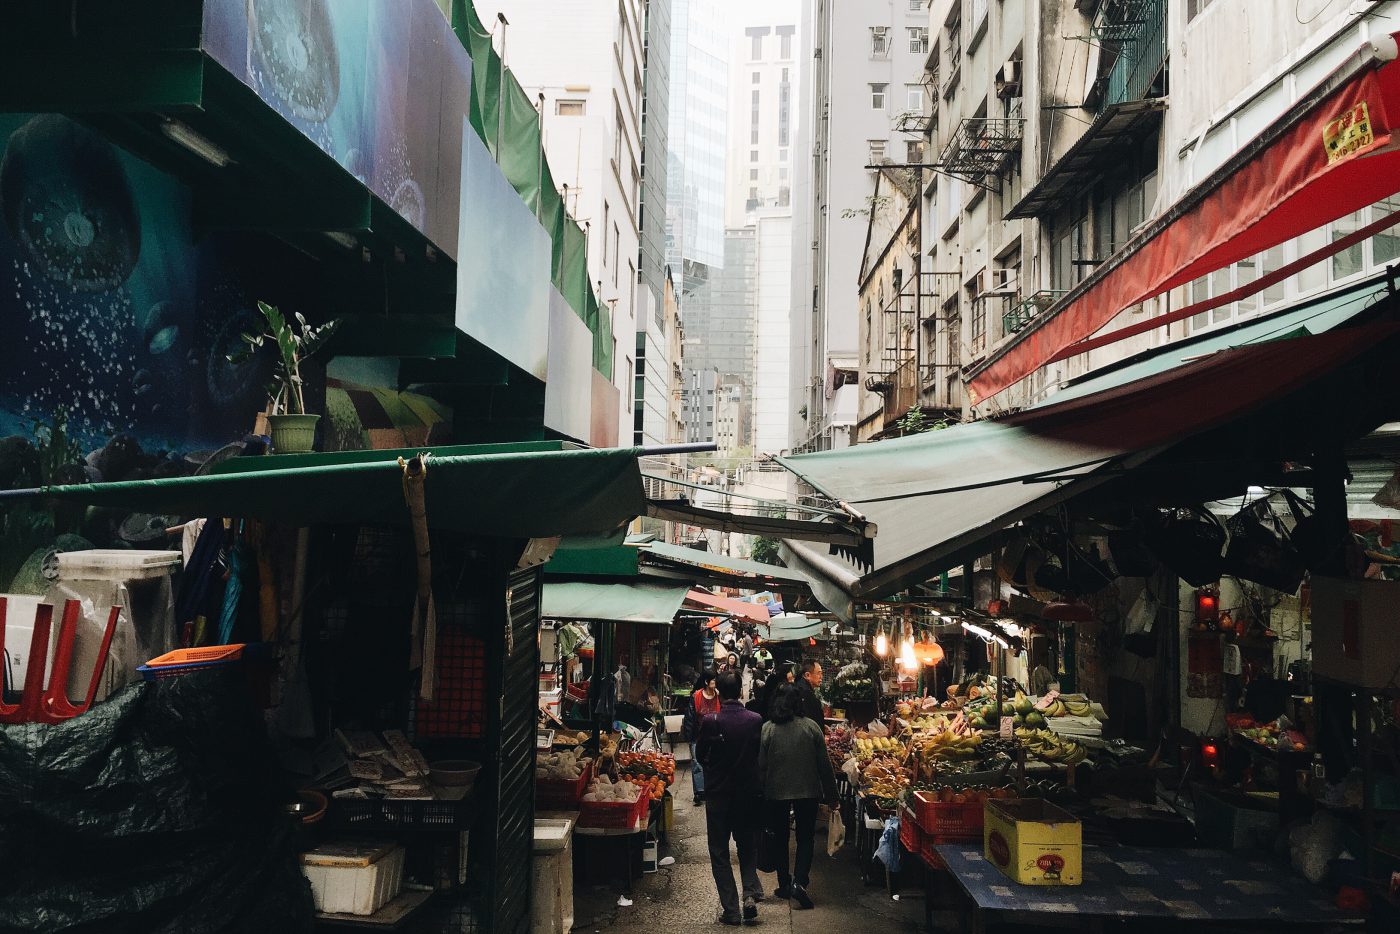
x: 729, y: 750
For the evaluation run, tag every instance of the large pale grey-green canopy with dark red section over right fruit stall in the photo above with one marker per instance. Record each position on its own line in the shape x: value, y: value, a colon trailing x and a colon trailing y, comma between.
x: 939, y: 496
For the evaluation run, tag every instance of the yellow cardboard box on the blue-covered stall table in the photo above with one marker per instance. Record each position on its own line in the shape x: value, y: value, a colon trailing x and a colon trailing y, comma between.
x: 1034, y: 842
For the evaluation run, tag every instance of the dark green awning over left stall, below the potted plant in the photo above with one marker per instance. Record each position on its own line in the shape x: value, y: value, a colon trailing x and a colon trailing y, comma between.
x: 506, y: 491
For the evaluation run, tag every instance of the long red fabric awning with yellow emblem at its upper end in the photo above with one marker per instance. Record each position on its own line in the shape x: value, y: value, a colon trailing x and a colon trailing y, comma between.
x: 1331, y: 156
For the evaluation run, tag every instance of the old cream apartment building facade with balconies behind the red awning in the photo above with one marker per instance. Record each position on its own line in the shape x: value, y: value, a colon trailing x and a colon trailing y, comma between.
x: 1066, y: 137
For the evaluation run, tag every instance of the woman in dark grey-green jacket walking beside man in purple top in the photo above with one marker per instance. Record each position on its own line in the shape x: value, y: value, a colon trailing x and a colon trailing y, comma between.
x: 797, y: 776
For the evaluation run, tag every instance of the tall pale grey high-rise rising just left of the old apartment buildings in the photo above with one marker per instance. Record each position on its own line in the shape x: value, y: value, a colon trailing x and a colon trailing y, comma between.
x: 866, y: 74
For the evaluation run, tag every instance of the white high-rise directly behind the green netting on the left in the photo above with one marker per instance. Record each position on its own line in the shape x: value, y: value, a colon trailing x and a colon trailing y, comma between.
x: 587, y: 57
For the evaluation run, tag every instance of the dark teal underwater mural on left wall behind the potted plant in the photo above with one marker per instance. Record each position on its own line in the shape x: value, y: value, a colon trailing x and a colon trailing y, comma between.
x: 115, y: 331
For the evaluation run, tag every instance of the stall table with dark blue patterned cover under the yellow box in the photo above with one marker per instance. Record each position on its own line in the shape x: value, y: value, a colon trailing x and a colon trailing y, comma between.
x: 1143, y: 883
